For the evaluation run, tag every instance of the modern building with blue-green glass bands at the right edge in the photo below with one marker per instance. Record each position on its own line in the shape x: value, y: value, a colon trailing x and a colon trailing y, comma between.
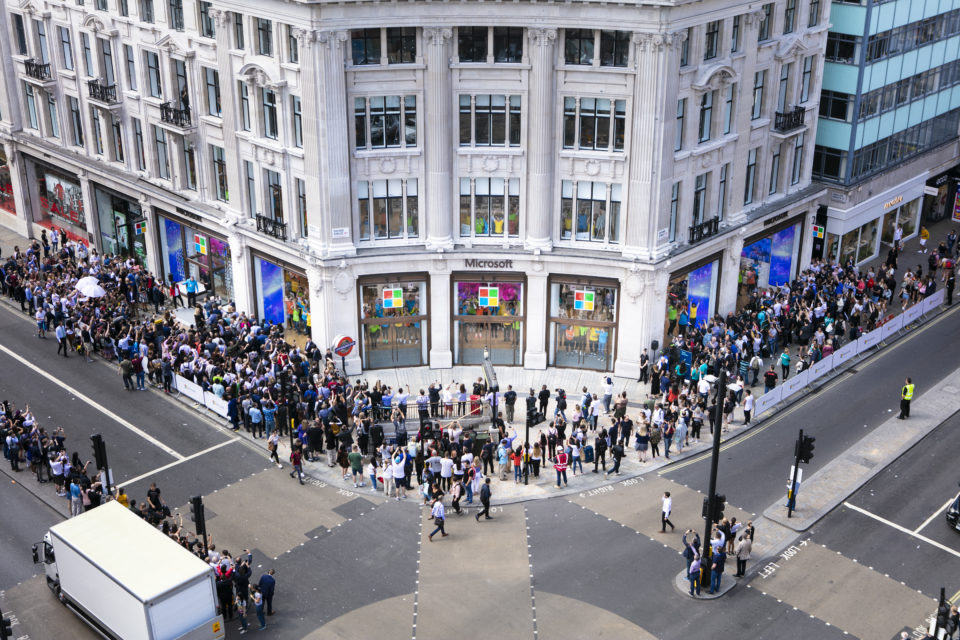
x: 888, y: 123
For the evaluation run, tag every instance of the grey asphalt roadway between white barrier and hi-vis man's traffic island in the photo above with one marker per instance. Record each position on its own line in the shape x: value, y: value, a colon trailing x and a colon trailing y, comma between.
x: 754, y: 467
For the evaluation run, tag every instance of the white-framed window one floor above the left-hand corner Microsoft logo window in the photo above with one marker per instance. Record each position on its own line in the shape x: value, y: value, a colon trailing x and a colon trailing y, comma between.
x: 387, y: 209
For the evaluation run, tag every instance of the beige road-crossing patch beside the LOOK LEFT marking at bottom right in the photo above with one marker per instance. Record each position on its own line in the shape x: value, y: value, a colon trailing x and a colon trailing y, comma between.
x: 841, y: 591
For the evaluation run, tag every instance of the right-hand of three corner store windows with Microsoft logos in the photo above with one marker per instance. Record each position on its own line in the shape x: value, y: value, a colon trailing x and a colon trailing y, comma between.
x: 583, y: 324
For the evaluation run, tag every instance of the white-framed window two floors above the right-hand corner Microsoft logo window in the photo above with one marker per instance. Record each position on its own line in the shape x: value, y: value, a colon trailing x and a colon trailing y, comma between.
x: 597, y: 124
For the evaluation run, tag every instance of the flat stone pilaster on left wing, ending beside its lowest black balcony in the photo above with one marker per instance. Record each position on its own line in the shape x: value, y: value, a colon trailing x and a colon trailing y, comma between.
x: 228, y: 98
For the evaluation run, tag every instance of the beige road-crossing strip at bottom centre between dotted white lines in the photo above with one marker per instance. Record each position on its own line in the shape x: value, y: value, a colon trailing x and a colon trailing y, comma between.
x: 486, y: 562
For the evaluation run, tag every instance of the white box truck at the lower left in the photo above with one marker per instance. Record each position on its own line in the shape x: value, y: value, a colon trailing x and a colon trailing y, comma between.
x: 127, y: 580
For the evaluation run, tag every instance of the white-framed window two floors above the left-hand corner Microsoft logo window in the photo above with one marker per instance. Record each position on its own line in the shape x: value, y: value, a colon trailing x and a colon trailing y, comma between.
x: 382, y: 122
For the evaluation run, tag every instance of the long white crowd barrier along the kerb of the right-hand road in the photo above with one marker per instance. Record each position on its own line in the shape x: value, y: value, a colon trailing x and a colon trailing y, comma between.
x: 866, y: 342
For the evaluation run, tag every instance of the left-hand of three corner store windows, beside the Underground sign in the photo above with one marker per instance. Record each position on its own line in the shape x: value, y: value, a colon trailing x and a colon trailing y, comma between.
x: 393, y: 322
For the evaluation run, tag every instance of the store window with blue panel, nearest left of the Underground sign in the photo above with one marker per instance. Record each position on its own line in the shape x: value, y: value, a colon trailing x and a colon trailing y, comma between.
x: 283, y: 298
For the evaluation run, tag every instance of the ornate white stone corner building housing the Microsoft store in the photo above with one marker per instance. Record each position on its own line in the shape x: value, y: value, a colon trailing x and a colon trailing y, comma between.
x: 543, y: 181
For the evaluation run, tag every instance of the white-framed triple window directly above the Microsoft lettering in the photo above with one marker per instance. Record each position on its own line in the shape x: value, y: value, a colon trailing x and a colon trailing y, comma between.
x: 489, y: 207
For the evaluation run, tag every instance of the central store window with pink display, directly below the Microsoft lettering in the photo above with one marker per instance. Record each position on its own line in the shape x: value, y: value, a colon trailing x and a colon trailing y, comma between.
x: 488, y: 317
